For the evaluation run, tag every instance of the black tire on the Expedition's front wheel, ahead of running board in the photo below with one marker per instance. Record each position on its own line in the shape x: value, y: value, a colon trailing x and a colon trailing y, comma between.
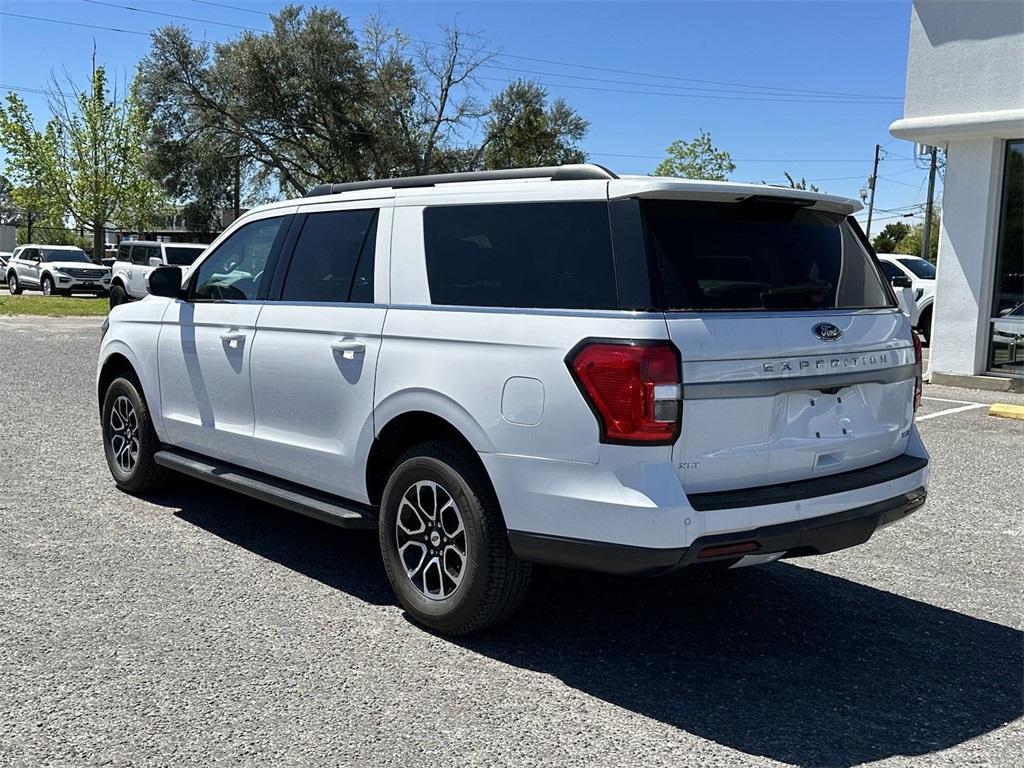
x: 145, y: 475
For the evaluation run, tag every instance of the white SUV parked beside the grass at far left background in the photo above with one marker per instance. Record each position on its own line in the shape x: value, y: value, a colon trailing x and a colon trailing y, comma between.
x: 56, y: 271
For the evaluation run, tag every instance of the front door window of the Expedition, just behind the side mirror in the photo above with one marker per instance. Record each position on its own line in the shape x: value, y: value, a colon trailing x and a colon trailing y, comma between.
x: 234, y: 271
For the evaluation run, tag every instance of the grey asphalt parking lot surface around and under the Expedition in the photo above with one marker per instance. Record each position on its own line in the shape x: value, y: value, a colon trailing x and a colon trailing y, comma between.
x: 198, y: 628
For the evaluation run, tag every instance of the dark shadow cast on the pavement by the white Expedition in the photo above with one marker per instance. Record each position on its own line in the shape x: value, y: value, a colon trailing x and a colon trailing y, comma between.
x: 779, y: 661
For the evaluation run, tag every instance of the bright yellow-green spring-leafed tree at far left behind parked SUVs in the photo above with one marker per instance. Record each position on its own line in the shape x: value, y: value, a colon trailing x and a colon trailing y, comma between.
x: 87, y: 164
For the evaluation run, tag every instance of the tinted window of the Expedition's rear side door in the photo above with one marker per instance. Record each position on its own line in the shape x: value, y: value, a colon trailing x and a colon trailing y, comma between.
x: 334, y: 259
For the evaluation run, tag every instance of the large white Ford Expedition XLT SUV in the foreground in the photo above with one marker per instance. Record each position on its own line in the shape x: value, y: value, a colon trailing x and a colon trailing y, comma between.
x: 550, y: 366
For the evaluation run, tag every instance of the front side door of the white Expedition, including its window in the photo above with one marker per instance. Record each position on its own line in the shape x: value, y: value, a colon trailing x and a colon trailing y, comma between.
x: 206, y: 347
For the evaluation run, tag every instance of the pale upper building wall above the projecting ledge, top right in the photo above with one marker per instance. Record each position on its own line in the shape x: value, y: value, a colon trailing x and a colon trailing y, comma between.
x: 966, y: 56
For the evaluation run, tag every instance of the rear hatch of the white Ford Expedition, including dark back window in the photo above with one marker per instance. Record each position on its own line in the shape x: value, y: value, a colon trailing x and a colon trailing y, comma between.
x: 797, y: 363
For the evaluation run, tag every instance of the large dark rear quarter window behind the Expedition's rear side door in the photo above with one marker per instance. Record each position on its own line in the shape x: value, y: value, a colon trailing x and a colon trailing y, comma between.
x: 554, y: 255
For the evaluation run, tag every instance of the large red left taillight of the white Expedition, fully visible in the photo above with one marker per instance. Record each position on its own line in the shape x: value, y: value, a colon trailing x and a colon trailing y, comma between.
x: 634, y: 390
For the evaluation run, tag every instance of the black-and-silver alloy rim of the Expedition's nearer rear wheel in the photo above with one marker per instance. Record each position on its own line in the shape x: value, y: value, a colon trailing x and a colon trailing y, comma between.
x: 432, y: 539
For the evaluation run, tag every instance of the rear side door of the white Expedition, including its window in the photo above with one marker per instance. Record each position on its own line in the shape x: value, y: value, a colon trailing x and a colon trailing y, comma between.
x: 315, y: 358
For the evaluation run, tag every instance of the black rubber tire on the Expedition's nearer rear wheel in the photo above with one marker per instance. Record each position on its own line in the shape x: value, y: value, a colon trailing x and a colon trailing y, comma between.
x: 494, y: 581
